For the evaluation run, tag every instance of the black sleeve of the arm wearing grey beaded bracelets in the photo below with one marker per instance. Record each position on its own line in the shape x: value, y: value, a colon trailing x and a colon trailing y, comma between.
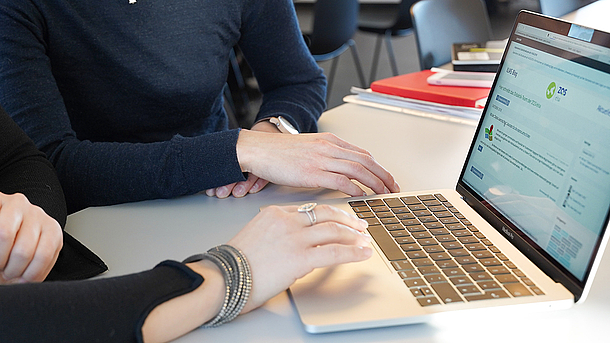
x: 102, y: 310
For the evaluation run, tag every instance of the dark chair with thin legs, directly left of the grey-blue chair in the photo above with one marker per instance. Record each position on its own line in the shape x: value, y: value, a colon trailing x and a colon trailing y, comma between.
x: 386, y: 21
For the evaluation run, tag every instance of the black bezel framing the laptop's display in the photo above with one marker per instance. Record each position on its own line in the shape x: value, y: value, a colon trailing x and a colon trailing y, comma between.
x: 502, y: 224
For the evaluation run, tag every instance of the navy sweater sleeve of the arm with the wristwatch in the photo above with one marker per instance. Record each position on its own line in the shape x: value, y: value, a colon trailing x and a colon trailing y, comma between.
x: 293, y: 85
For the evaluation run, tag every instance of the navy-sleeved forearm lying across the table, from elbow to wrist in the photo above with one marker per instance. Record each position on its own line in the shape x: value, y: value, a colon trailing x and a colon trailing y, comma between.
x: 94, y: 174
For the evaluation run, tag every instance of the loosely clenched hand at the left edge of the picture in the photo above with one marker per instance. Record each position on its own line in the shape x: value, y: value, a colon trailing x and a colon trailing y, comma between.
x: 30, y: 240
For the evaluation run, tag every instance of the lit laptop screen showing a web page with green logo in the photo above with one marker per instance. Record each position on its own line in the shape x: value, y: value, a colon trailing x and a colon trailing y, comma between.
x: 540, y: 160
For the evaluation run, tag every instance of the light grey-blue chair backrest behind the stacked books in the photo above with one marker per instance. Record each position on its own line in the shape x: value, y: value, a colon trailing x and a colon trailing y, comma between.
x: 440, y: 23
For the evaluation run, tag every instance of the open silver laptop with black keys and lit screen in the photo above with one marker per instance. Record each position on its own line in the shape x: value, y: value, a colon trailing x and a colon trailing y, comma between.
x: 525, y: 227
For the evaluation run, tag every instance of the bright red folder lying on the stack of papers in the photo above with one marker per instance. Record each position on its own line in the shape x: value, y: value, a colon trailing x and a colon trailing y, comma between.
x: 415, y: 86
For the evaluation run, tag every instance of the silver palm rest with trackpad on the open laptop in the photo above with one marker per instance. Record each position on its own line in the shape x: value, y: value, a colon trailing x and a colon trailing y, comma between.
x: 340, y: 297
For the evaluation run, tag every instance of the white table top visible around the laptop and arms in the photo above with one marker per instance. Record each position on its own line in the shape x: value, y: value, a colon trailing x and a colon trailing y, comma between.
x: 421, y: 153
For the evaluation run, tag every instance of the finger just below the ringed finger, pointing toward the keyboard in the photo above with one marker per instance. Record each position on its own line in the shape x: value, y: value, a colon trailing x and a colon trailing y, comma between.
x: 334, y: 233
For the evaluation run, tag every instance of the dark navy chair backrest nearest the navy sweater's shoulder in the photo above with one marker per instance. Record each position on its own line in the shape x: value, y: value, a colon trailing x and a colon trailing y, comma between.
x: 334, y: 23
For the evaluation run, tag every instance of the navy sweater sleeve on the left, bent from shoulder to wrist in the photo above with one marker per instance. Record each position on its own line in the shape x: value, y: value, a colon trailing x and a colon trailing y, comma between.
x: 98, y: 173
